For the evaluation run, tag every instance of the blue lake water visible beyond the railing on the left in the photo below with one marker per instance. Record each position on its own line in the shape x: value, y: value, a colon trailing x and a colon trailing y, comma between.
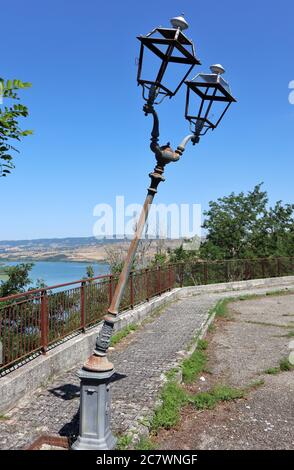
x: 60, y: 272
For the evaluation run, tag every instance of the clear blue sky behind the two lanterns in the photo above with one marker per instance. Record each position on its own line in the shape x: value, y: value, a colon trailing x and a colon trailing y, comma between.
x: 91, y: 138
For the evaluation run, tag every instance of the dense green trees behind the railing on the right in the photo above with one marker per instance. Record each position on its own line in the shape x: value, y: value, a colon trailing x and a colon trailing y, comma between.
x: 242, y: 226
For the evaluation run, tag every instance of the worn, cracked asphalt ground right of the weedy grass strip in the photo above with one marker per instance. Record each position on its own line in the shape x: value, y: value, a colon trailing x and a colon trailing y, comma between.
x: 254, y: 337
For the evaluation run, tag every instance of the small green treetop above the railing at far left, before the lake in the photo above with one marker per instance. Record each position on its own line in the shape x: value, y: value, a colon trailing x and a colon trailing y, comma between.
x: 18, y: 279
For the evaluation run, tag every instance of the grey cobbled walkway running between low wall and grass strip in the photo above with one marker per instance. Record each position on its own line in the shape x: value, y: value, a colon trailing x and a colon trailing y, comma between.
x: 143, y: 358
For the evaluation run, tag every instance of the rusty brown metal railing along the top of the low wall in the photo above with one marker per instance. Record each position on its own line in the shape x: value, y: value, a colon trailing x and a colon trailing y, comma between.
x: 33, y: 321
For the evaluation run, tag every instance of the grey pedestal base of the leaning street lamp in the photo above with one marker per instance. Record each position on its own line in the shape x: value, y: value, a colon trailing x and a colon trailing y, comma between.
x: 95, y: 406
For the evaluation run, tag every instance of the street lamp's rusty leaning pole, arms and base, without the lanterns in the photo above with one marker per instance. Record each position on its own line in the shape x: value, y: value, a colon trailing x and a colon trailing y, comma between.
x: 97, y: 367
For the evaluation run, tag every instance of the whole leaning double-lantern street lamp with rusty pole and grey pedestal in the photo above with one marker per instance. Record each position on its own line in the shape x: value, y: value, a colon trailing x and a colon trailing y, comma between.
x: 208, y: 97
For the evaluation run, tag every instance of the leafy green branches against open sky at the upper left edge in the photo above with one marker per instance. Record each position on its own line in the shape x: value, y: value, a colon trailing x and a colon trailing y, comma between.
x: 10, y: 114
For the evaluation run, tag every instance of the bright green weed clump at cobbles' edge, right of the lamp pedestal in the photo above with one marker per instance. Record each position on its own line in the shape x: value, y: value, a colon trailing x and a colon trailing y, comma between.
x: 167, y: 415
